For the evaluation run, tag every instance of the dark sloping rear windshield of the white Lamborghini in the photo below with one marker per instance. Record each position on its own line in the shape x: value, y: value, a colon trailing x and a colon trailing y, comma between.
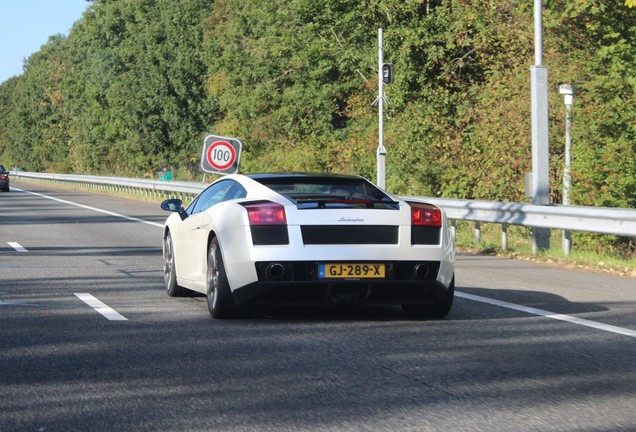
x: 329, y: 192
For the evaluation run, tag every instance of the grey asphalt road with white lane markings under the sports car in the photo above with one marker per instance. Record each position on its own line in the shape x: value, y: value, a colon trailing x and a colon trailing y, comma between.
x: 526, y: 347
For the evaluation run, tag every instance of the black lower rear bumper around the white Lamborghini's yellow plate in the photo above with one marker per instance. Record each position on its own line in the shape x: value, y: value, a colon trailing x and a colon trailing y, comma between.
x: 299, y: 284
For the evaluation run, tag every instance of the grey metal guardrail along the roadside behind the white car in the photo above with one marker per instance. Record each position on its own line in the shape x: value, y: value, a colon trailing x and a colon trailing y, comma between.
x: 621, y: 222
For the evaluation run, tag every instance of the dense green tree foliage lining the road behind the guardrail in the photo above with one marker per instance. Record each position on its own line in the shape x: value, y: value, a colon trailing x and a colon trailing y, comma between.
x: 137, y: 83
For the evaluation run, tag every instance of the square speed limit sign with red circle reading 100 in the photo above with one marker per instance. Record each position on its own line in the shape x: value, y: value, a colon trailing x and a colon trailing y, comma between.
x: 220, y: 154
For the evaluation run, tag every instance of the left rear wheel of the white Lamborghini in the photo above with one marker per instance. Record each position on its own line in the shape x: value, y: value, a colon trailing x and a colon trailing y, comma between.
x: 220, y: 300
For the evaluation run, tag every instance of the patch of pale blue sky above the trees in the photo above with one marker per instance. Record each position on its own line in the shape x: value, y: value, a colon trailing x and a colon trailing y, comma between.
x: 25, y: 25
